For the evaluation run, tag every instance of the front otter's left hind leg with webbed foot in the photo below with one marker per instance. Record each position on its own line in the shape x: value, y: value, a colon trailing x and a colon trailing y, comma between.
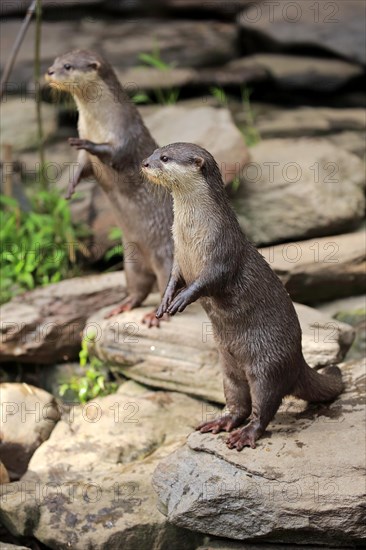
x: 237, y: 395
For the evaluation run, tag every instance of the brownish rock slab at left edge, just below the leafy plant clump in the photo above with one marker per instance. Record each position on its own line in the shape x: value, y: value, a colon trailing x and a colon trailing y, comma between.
x: 44, y: 325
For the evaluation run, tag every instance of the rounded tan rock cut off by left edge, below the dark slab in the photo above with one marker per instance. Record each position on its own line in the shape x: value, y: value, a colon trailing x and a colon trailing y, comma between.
x: 27, y: 417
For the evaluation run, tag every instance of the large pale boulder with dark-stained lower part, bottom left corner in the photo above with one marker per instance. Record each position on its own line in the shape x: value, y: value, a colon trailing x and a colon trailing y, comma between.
x: 89, y: 485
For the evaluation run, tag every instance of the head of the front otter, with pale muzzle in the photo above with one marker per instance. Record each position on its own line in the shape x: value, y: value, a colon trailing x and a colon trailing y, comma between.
x: 180, y: 167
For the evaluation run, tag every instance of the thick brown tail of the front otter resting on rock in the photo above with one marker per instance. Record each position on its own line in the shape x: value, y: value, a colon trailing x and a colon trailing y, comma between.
x: 312, y: 386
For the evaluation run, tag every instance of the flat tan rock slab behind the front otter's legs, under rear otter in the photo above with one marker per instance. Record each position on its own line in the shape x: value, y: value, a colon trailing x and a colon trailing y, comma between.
x: 181, y: 355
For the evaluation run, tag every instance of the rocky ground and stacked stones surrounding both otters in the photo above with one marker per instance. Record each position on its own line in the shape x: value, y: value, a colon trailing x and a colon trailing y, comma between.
x: 128, y: 470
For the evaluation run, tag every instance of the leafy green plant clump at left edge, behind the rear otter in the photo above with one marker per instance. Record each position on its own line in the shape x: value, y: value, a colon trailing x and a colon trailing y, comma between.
x: 37, y: 247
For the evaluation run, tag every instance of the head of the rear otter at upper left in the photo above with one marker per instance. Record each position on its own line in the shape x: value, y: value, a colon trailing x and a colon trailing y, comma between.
x: 75, y: 71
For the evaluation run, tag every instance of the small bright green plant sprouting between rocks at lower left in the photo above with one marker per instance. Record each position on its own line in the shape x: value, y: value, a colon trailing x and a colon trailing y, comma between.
x: 93, y: 383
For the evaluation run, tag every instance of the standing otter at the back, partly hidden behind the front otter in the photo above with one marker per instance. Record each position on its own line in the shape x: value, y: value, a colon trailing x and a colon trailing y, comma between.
x: 113, y: 141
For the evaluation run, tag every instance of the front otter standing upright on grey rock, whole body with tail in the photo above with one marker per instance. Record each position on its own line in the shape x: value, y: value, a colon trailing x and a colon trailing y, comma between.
x: 253, y: 318
